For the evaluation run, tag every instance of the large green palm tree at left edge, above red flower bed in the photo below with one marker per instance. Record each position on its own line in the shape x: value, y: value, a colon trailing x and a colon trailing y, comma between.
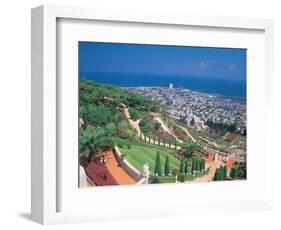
x: 93, y: 142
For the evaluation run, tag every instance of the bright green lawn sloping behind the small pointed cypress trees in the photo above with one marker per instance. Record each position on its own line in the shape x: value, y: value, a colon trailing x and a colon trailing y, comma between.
x: 138, y: 155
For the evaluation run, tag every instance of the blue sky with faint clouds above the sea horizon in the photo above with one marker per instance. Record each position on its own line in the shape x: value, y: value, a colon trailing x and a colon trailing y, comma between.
x: 201, y: 62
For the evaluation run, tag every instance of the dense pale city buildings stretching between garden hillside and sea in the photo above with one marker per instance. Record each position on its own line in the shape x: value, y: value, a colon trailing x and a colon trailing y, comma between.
x: 190, y: 106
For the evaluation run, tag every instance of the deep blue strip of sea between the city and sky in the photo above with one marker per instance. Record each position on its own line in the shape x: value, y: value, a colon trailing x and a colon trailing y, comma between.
x: 224, y: 87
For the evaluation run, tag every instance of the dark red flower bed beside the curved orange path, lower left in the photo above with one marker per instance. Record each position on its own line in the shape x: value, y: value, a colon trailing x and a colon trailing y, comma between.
x: 99, y: 175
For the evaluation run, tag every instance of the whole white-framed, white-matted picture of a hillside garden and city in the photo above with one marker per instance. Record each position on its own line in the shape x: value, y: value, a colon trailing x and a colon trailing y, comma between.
x: 140, y: 114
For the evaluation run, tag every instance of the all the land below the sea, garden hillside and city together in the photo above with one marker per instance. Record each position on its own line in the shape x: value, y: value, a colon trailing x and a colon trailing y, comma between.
x: 149, y: 135
